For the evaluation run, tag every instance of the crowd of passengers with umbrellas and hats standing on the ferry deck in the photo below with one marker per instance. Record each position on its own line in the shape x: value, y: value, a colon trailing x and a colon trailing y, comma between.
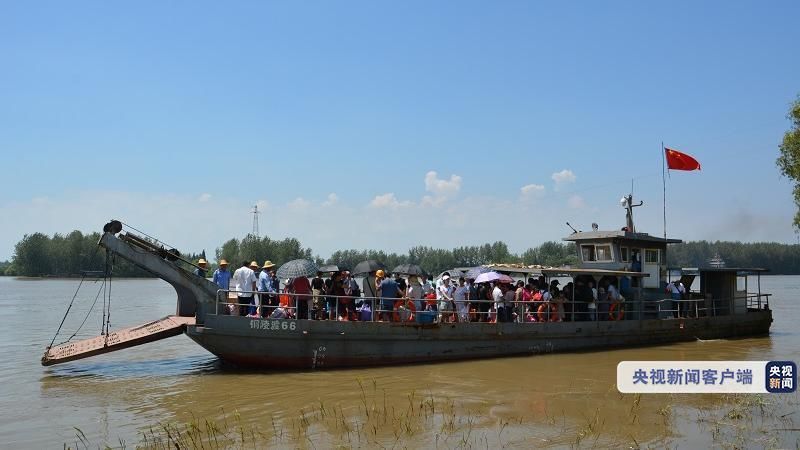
x: 339, y: 297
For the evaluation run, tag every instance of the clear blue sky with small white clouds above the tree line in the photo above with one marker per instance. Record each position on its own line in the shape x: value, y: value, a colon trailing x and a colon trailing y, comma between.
x: 177, y: 117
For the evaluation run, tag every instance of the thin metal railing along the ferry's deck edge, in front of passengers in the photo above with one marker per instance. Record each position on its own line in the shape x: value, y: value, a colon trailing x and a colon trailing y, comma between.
x: 406, y: 310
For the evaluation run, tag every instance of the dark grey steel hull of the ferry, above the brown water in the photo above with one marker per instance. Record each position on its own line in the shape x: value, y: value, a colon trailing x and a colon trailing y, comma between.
x: 303, y: 344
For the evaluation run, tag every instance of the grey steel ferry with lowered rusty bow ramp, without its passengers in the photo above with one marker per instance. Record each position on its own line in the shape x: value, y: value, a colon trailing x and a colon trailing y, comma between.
x: 726, y: 305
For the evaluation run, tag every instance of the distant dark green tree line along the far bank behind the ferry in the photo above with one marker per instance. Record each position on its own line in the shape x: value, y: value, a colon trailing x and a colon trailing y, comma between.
x: 38, y: 254
